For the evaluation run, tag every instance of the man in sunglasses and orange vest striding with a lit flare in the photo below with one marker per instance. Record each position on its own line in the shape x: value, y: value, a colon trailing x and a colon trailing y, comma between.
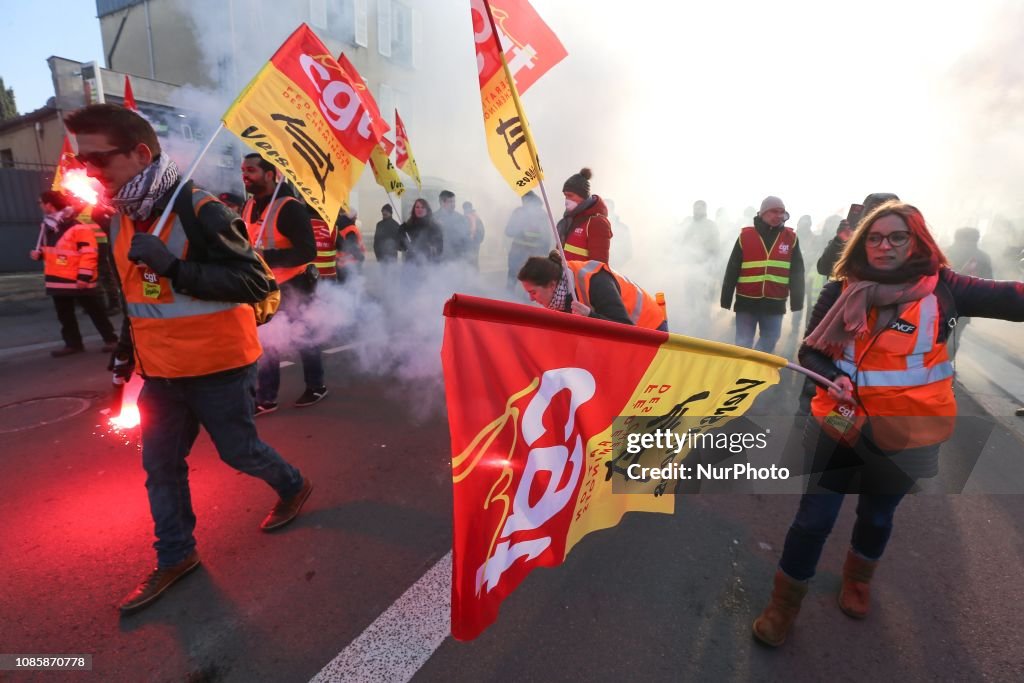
x: 189, y: 331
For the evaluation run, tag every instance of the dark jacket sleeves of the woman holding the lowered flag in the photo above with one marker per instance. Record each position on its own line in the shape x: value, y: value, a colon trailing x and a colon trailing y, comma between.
x: 964, y: 295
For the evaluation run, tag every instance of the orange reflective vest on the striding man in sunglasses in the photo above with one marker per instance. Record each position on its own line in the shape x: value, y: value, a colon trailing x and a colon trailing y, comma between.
x: 177, y: 335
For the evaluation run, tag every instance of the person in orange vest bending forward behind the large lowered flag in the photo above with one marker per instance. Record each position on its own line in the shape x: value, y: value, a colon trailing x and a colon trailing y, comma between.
x: 601, y: 292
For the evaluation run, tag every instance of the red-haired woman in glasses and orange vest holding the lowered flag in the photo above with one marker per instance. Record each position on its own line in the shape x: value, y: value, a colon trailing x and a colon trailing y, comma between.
x: 880, y: 333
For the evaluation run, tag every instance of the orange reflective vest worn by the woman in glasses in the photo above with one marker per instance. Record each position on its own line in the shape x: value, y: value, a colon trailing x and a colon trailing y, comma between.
x: 904, y: 381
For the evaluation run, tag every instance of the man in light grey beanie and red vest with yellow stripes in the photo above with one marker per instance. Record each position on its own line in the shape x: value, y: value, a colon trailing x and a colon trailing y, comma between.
x: 765, y: 270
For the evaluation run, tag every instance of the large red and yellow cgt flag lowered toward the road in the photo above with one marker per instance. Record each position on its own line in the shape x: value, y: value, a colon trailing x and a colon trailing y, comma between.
x: 534, y: 451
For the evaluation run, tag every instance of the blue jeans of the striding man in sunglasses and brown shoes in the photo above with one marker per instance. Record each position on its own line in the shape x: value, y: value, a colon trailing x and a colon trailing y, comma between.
x: 173, y: 412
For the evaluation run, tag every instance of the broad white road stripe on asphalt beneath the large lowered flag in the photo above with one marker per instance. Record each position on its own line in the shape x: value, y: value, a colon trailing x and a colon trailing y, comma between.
x: 402, y: 639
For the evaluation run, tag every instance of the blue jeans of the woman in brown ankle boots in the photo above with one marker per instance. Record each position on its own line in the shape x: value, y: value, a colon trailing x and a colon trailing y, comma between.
x: 815, y: 522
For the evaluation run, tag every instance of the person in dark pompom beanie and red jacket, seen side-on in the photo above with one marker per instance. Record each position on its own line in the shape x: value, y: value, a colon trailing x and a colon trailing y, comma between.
x: 585, y: 229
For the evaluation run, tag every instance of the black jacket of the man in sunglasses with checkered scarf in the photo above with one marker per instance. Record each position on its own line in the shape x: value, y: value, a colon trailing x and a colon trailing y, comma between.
x: 221, y: 265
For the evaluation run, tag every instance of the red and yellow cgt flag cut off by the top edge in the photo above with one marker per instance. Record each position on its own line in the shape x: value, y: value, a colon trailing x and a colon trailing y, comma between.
x: 511, y: 28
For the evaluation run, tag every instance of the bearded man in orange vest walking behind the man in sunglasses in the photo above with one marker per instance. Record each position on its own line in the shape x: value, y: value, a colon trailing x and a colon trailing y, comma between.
x: 284, y: 235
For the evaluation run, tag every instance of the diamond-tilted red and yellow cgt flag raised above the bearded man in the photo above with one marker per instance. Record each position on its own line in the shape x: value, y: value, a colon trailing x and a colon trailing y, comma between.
x: 307, y: 116
